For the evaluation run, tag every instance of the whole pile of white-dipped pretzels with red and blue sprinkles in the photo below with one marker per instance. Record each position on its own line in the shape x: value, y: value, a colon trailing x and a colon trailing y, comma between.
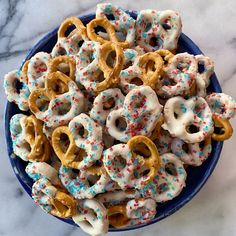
x: 114, y: 118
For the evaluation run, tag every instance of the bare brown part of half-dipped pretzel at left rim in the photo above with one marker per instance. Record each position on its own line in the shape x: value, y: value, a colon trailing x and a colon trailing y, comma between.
x: 33, y: 134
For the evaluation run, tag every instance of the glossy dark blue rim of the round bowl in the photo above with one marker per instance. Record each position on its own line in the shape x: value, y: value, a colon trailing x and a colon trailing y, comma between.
x: 208, y: 173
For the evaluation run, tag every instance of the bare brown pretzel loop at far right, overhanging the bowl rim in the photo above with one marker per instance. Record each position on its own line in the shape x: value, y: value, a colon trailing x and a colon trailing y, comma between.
x: 225, y: 128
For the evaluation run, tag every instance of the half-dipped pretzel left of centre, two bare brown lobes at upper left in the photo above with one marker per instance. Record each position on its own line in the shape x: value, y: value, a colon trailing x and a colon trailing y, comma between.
x: 54, y: 108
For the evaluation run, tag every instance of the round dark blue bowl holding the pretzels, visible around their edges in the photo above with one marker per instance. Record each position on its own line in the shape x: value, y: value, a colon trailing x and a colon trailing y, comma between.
x: 197, y: 176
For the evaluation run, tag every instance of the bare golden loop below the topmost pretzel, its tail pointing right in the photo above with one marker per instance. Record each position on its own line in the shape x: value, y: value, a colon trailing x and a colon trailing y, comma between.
x: 104, y: 23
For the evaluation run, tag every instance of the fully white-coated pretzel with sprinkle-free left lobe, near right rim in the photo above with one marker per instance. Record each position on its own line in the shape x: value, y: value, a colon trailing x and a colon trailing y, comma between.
x: 181, y: 115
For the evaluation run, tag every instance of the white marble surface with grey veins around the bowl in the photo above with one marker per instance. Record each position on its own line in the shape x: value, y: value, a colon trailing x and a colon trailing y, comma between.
x: 211, y: 24
